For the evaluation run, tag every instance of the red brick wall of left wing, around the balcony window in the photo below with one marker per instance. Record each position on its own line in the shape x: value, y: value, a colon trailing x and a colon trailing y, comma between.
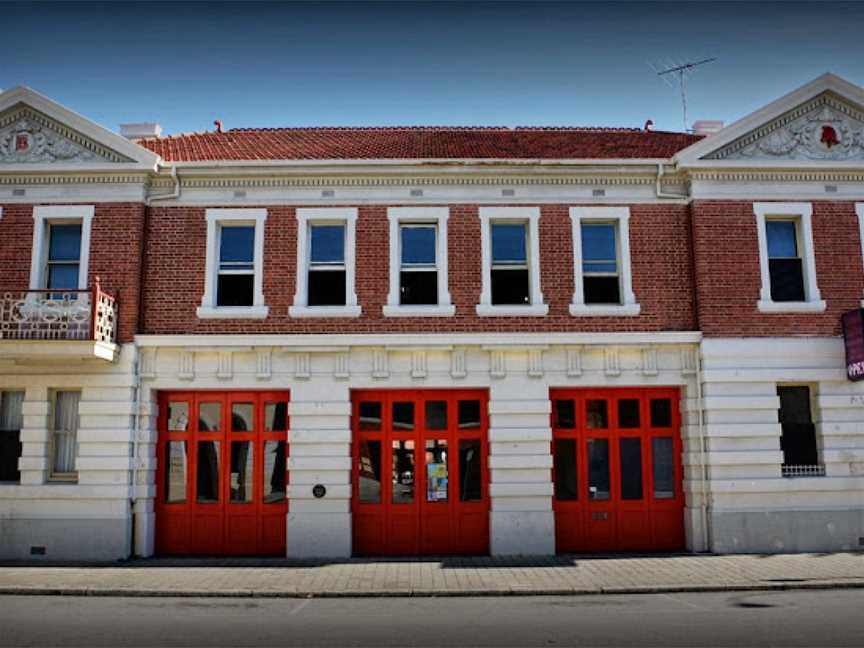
x: 115, y: 254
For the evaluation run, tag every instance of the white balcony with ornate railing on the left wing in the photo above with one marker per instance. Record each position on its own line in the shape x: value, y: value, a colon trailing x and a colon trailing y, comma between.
x: 52, y: 325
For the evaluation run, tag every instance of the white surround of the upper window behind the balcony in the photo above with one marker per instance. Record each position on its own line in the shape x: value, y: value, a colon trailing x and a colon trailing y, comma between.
x: 45, y: 215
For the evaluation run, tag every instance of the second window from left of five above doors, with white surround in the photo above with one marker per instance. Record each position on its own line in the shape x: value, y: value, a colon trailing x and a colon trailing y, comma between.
x: 325, y: 263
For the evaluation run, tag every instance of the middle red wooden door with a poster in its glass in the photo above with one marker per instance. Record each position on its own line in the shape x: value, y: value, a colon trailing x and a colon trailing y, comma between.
x: 420, y: 483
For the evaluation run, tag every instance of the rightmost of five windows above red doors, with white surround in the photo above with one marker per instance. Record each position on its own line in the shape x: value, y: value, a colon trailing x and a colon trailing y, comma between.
x: 602, y: 276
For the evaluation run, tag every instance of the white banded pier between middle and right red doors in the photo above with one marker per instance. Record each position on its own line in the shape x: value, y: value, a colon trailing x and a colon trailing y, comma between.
x: 520, y: 462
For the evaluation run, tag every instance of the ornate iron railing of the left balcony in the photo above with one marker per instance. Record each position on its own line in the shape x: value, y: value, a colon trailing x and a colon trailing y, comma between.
x: 88, y: 314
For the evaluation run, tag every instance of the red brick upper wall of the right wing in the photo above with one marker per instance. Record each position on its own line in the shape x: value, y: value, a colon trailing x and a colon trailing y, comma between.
x: 726, y: 252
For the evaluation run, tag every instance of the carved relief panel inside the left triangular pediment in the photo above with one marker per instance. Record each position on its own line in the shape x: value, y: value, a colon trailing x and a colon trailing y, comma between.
x: 25, y: 140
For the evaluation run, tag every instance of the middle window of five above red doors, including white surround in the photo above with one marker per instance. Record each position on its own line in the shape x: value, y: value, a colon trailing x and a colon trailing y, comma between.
x: 418, y: 263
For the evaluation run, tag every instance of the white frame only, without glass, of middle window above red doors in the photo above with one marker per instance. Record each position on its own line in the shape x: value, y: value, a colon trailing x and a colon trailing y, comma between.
x: 438, y: 217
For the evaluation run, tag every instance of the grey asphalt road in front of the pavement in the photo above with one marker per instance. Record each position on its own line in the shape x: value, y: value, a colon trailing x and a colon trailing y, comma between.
x: 803, y: 618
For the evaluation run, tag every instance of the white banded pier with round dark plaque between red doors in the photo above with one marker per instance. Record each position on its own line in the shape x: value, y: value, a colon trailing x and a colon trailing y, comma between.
x: 319, y: 442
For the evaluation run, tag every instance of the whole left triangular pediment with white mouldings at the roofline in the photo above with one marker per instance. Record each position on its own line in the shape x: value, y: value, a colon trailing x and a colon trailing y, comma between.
x: 28, y: 136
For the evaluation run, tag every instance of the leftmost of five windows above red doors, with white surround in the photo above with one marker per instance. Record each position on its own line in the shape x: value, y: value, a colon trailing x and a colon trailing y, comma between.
x: 234, y: 271
